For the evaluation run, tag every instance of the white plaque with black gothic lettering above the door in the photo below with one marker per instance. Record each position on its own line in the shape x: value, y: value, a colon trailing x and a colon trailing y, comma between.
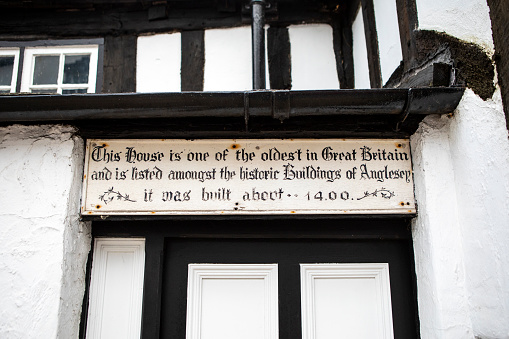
x: 258, y: 176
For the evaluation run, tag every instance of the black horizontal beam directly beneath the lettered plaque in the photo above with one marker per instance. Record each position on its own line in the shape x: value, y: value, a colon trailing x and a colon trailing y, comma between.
x: 261, y: 226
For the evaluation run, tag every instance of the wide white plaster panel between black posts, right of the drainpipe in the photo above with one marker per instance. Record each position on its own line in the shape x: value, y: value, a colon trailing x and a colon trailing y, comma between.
x: 313, y: 59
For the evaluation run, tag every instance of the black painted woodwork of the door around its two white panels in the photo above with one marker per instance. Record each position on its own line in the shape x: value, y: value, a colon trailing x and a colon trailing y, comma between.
x: 288, y: 254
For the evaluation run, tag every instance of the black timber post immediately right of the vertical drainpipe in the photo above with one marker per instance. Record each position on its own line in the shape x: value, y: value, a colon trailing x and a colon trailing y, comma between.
x: 280, y: 66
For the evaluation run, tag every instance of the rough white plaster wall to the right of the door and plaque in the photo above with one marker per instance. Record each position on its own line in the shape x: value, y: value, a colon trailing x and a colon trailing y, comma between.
x: 461, y: 168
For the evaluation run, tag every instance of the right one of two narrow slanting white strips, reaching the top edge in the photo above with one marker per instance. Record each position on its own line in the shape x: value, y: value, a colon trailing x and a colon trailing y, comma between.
x: 389, y: 44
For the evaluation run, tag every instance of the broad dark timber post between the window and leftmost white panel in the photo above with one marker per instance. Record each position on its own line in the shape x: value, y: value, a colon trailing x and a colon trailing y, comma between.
x: 119, y: 64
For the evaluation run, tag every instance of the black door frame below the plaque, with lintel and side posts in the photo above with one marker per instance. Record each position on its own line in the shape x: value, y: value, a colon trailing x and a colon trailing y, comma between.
x: 383, y: 228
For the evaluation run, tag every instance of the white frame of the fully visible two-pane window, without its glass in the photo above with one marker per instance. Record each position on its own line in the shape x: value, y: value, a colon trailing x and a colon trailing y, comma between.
x: 29, y: 63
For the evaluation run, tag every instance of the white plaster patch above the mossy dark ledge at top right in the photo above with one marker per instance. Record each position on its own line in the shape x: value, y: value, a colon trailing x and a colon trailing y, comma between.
x: 468, y: 20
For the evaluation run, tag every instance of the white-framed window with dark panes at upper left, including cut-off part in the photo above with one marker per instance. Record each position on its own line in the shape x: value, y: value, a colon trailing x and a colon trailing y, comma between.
x: 50, y: 67
